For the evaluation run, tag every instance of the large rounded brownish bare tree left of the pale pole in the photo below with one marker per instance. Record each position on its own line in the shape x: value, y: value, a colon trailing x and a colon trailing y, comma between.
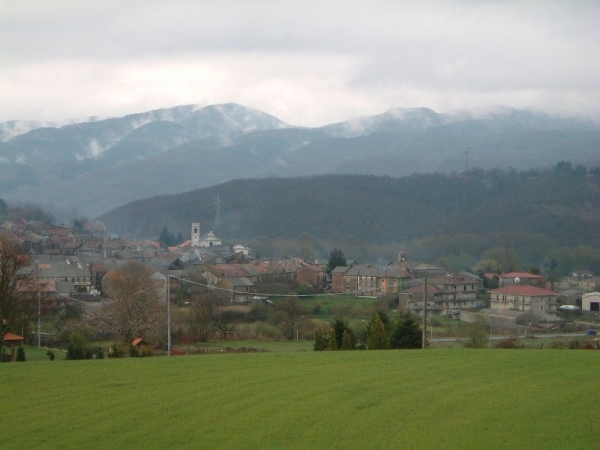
x: 137, y: 306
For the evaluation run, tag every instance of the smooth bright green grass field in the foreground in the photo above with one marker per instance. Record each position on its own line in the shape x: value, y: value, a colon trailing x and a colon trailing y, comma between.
x: 433, y: 399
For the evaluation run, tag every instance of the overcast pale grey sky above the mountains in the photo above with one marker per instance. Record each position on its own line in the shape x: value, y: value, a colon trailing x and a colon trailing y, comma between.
x: 309, y: 63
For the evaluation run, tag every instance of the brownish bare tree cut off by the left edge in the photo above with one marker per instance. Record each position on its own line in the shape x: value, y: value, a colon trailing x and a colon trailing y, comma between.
x: 12, y: 259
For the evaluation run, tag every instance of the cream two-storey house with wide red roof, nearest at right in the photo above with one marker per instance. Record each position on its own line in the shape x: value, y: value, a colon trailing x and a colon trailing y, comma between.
x: 525, y: 298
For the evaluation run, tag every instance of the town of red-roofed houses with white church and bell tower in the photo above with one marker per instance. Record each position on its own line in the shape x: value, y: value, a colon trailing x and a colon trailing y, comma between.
x: 70, y: 265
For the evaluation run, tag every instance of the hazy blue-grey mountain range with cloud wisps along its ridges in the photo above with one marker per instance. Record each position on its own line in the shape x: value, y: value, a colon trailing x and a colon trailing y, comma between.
x: 93, y: 166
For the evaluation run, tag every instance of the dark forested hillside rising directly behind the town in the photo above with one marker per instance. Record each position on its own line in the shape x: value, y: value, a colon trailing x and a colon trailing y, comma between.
x: 543, y: 218
